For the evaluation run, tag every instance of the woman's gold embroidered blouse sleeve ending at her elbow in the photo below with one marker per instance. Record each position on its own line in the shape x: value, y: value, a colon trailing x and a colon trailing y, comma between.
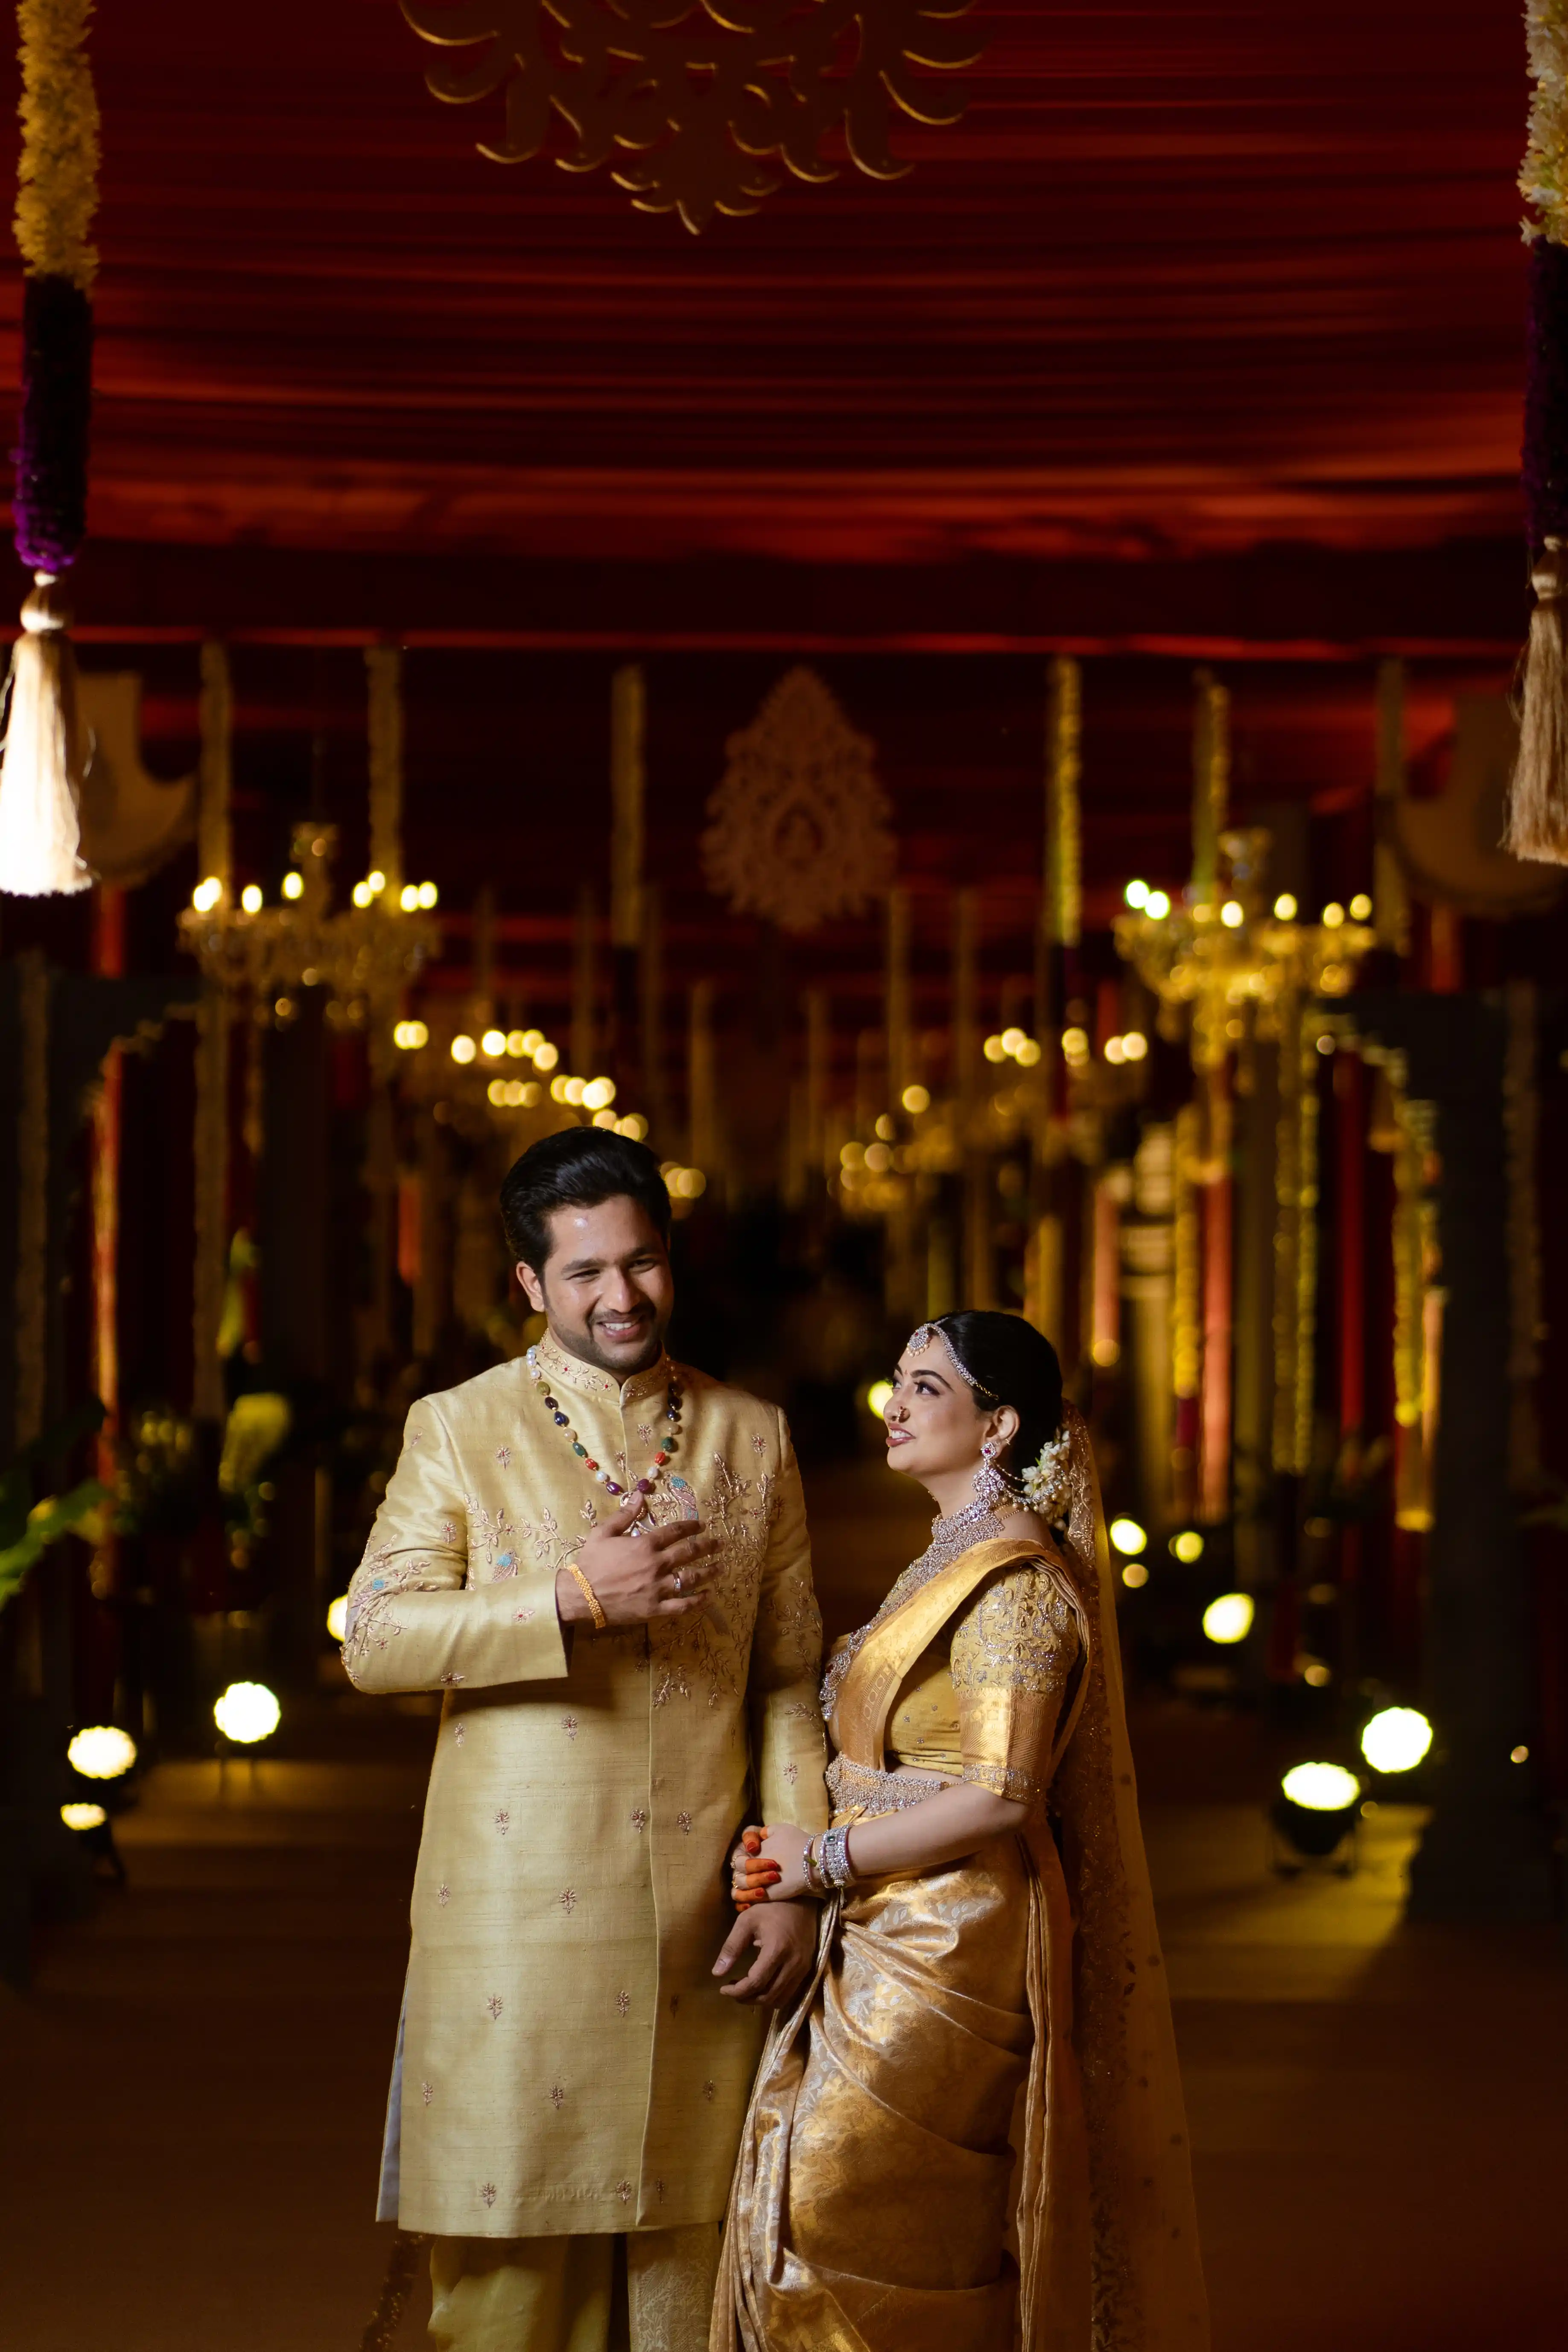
x: 1014, y: 1655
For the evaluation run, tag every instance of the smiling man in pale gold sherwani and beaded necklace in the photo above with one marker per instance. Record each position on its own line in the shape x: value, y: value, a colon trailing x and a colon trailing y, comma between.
x: 601, y: 1558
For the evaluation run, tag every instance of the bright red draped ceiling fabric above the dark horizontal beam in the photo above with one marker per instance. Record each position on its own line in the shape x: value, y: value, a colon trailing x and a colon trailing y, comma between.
x: 1184, y: 281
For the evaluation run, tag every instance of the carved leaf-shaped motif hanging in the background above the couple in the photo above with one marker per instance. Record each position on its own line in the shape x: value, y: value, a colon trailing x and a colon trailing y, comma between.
x: 800, y: 822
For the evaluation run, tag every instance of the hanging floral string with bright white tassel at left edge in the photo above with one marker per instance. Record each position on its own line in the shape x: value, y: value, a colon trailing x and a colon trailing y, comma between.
x: 41, y: 770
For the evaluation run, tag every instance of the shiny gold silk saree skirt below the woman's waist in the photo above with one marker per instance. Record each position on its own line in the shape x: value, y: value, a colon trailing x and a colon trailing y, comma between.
x: 873, y: 2196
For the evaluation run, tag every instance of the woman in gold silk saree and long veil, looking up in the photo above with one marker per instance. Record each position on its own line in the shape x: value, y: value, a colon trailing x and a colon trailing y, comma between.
x: 970, y: 2132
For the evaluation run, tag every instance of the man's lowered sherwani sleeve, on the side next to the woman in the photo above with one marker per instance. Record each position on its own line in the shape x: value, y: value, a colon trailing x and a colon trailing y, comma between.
x: 789, y: 1742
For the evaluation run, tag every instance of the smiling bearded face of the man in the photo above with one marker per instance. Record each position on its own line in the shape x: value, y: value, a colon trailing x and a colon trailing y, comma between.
x: 605, y: 1288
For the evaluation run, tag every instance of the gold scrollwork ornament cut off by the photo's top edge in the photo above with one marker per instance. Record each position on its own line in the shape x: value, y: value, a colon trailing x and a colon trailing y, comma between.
x: 699, y: 107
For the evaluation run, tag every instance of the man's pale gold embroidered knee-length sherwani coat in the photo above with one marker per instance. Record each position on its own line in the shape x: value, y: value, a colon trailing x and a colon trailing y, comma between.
x: 565, y: 2059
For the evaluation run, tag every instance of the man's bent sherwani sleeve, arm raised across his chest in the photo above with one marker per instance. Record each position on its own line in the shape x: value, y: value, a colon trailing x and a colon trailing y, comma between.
x: 415, y: 1622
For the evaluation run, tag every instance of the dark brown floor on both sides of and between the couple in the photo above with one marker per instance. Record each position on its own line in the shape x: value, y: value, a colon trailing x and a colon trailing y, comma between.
x: 194, y: 2085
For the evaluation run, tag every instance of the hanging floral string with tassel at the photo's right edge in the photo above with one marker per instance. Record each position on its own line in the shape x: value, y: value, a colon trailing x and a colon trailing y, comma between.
x: 1539, y: 801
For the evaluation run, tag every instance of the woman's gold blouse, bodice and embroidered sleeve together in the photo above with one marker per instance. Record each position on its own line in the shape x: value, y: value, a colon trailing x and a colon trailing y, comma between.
x: 984, y: 1699
